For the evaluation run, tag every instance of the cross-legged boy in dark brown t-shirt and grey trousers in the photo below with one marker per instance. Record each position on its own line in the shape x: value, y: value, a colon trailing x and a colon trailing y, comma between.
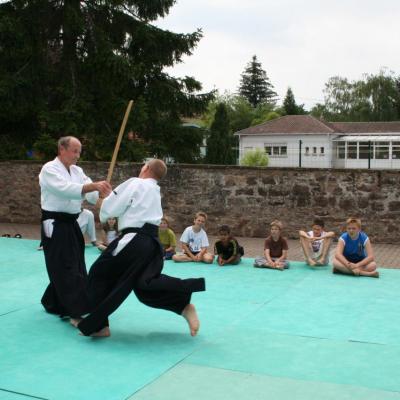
x: 275, y: 250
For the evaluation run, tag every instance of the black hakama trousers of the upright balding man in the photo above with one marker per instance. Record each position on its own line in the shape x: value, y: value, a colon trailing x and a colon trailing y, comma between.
x: 66, y: 295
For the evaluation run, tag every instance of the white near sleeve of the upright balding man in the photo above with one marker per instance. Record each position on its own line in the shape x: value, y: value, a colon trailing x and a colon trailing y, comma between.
x: 51, y: 179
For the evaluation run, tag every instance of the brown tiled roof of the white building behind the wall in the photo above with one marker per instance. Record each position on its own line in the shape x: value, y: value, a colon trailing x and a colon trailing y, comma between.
x: 306, y: 124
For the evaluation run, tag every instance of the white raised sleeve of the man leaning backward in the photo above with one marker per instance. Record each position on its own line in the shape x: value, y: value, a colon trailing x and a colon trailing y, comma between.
x: 116, y: 203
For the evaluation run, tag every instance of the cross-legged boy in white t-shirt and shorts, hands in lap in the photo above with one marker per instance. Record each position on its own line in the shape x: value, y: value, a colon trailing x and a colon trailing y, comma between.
x: 194, y: 242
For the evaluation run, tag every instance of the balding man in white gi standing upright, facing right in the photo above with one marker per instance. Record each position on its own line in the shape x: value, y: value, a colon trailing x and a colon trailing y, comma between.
x: 63, y: 188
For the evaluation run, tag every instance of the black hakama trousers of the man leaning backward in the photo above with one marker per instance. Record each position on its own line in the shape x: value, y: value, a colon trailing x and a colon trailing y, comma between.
x: 136, y: 268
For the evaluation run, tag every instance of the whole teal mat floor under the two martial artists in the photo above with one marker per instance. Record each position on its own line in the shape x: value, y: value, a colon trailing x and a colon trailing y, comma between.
x: 299, y: 334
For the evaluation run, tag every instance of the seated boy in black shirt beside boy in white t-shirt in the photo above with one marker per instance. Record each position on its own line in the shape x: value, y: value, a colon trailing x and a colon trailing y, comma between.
x: 227, y: 248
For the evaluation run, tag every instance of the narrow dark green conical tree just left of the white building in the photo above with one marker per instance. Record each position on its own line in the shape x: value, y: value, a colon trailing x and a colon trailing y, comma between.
x: 220, y: 140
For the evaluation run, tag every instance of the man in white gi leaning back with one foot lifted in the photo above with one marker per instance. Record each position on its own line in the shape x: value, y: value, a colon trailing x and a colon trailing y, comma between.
x: 134, y: 261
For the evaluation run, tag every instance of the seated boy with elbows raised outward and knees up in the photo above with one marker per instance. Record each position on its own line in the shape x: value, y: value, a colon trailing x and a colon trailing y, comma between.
x: 315, y: 243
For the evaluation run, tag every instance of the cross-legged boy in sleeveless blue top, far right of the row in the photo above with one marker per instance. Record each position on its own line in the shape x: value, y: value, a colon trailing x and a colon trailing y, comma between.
x: 354, y: 255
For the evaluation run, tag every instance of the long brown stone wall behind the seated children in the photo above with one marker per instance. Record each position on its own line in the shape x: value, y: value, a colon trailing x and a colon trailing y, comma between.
x: 247, y: 199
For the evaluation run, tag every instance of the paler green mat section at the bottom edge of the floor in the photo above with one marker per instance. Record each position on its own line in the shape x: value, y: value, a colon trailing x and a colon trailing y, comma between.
x: 188, y: 381
